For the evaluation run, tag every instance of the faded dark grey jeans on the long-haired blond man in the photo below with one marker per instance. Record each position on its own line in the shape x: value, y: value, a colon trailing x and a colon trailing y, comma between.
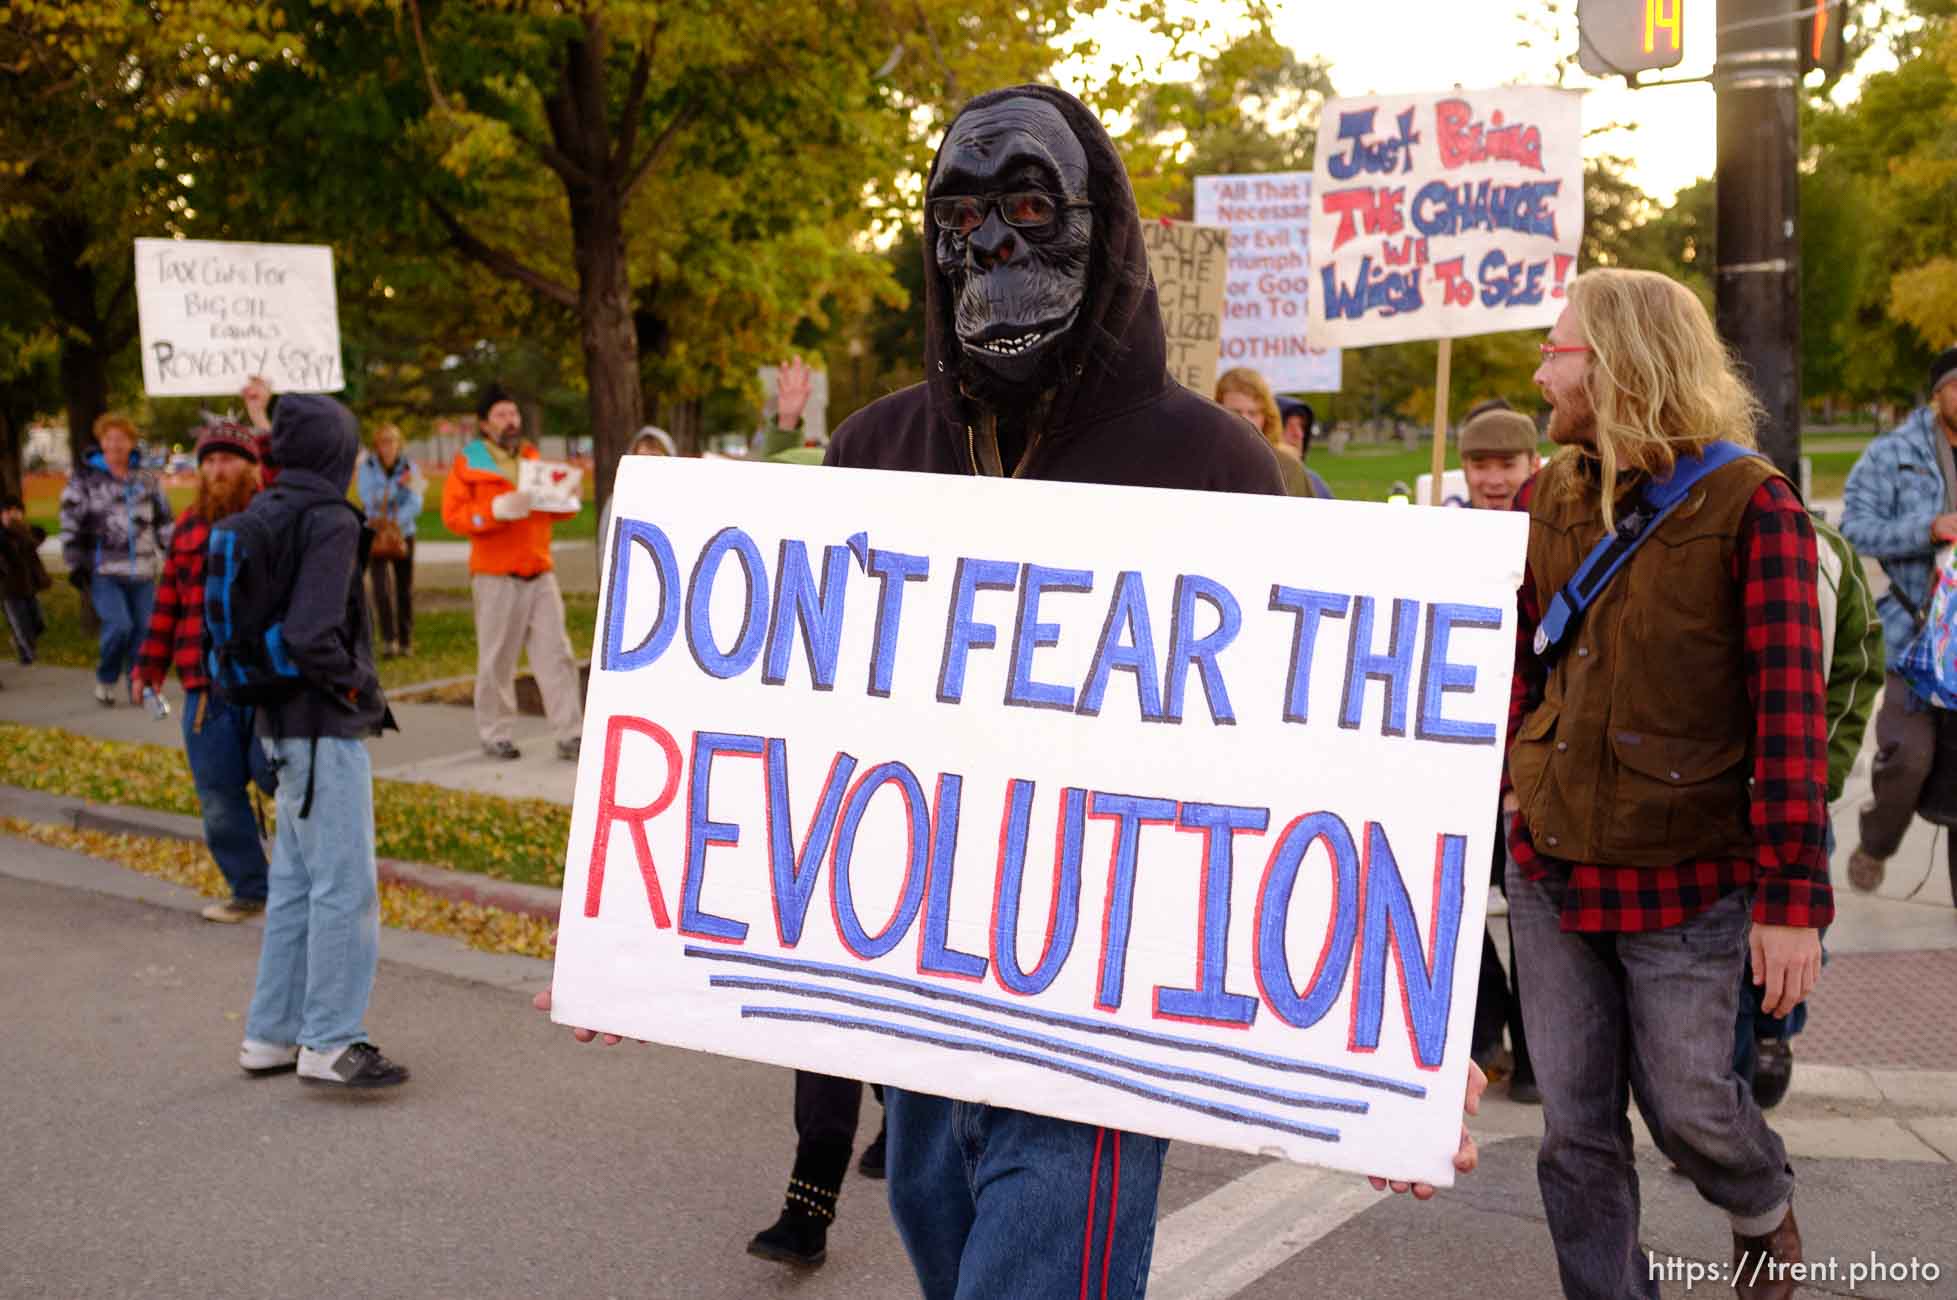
x: 1651, y: 1017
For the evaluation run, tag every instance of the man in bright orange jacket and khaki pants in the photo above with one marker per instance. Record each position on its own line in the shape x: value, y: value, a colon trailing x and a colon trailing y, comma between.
x: 518, y: 598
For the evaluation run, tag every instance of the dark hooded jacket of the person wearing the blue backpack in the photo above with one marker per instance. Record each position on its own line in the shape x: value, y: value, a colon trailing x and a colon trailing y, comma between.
x: 316, y: 443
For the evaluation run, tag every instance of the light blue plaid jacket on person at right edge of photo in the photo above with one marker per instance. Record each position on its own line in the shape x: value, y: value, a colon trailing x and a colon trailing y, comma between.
x: 1893, y: 496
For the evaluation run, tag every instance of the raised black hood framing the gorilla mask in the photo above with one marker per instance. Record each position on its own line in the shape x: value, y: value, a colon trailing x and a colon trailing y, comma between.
x: 1115, y: 355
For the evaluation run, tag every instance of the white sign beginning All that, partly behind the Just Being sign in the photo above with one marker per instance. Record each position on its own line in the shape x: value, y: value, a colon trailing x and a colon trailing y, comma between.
x: 1265, y: 318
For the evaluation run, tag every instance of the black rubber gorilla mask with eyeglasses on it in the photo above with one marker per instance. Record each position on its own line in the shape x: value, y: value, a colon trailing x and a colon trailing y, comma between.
x: 1015, y: 232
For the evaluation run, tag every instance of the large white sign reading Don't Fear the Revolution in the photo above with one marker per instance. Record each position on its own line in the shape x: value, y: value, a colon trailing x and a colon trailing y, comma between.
x: 1066, y: 798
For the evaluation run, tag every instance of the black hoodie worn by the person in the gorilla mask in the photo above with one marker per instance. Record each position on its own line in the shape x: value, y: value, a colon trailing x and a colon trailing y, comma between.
x: 1118, y: 418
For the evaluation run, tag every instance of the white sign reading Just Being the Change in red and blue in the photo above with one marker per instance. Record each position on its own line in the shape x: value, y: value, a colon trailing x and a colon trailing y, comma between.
x: 1441, y: 216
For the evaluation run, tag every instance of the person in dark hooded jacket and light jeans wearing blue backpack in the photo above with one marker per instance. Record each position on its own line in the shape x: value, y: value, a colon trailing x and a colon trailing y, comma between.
x: 322, y: 919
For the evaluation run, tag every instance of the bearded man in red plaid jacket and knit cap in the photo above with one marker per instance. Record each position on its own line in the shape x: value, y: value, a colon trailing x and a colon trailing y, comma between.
x: 218, y: 737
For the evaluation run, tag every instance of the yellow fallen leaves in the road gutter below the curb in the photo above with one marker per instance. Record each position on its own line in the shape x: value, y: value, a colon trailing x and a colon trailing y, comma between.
x: 404, y: 907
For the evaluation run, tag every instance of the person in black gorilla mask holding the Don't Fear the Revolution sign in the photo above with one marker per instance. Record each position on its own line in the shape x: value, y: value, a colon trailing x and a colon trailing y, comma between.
x: 1046, y: 359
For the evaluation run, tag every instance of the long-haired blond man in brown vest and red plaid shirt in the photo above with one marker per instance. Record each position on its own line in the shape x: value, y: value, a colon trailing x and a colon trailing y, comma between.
x: 1668, y: 757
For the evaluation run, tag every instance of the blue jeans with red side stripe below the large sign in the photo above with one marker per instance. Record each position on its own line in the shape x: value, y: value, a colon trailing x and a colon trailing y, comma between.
x: 1003, y: 1203
